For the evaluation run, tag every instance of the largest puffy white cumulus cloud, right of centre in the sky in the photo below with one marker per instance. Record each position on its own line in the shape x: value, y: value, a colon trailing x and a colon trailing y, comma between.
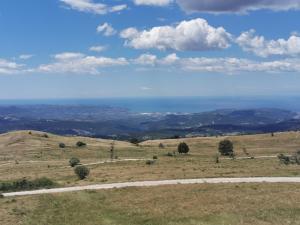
x: 193, y: 35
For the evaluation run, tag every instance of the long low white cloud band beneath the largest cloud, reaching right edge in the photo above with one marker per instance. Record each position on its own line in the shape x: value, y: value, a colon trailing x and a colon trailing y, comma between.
x: 219, y: 65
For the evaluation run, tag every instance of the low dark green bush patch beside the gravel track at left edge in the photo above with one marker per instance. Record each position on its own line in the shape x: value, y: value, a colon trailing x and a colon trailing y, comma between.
x: 25, y: 184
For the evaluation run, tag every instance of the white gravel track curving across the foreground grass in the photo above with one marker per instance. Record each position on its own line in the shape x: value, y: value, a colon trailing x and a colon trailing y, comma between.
x: 158, y: 183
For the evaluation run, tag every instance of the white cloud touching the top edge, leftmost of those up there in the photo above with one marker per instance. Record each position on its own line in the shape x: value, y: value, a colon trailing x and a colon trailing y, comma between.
x: 90, y: 6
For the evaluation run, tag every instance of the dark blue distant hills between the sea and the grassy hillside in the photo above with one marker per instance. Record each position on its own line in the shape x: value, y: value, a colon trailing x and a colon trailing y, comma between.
x: 119, y: 123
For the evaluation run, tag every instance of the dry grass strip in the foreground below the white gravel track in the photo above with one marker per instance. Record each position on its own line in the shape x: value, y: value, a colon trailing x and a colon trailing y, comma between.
x: 246, y: 204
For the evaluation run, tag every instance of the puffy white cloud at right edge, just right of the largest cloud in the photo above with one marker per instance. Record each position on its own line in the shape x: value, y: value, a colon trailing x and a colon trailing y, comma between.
x: 264, y: 48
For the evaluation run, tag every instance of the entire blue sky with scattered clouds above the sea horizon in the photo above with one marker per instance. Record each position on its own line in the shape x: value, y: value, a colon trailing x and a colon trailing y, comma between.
x: 143, y: 48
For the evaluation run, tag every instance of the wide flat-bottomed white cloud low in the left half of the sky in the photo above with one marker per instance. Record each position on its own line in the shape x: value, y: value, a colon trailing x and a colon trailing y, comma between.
x: 79, y: 64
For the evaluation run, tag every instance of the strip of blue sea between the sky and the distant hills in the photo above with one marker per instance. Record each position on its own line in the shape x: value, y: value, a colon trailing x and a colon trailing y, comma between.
x: 174, y: 104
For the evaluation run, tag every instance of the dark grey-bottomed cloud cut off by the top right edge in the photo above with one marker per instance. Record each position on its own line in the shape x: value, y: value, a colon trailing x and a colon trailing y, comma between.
x: 237, y: 6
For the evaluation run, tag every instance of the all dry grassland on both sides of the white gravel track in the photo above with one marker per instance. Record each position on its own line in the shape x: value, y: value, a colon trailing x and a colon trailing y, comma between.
x: 32, y: 155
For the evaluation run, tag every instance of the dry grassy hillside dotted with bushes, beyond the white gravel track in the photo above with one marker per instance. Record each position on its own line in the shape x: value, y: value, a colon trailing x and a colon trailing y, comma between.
x: 38, y: 156
